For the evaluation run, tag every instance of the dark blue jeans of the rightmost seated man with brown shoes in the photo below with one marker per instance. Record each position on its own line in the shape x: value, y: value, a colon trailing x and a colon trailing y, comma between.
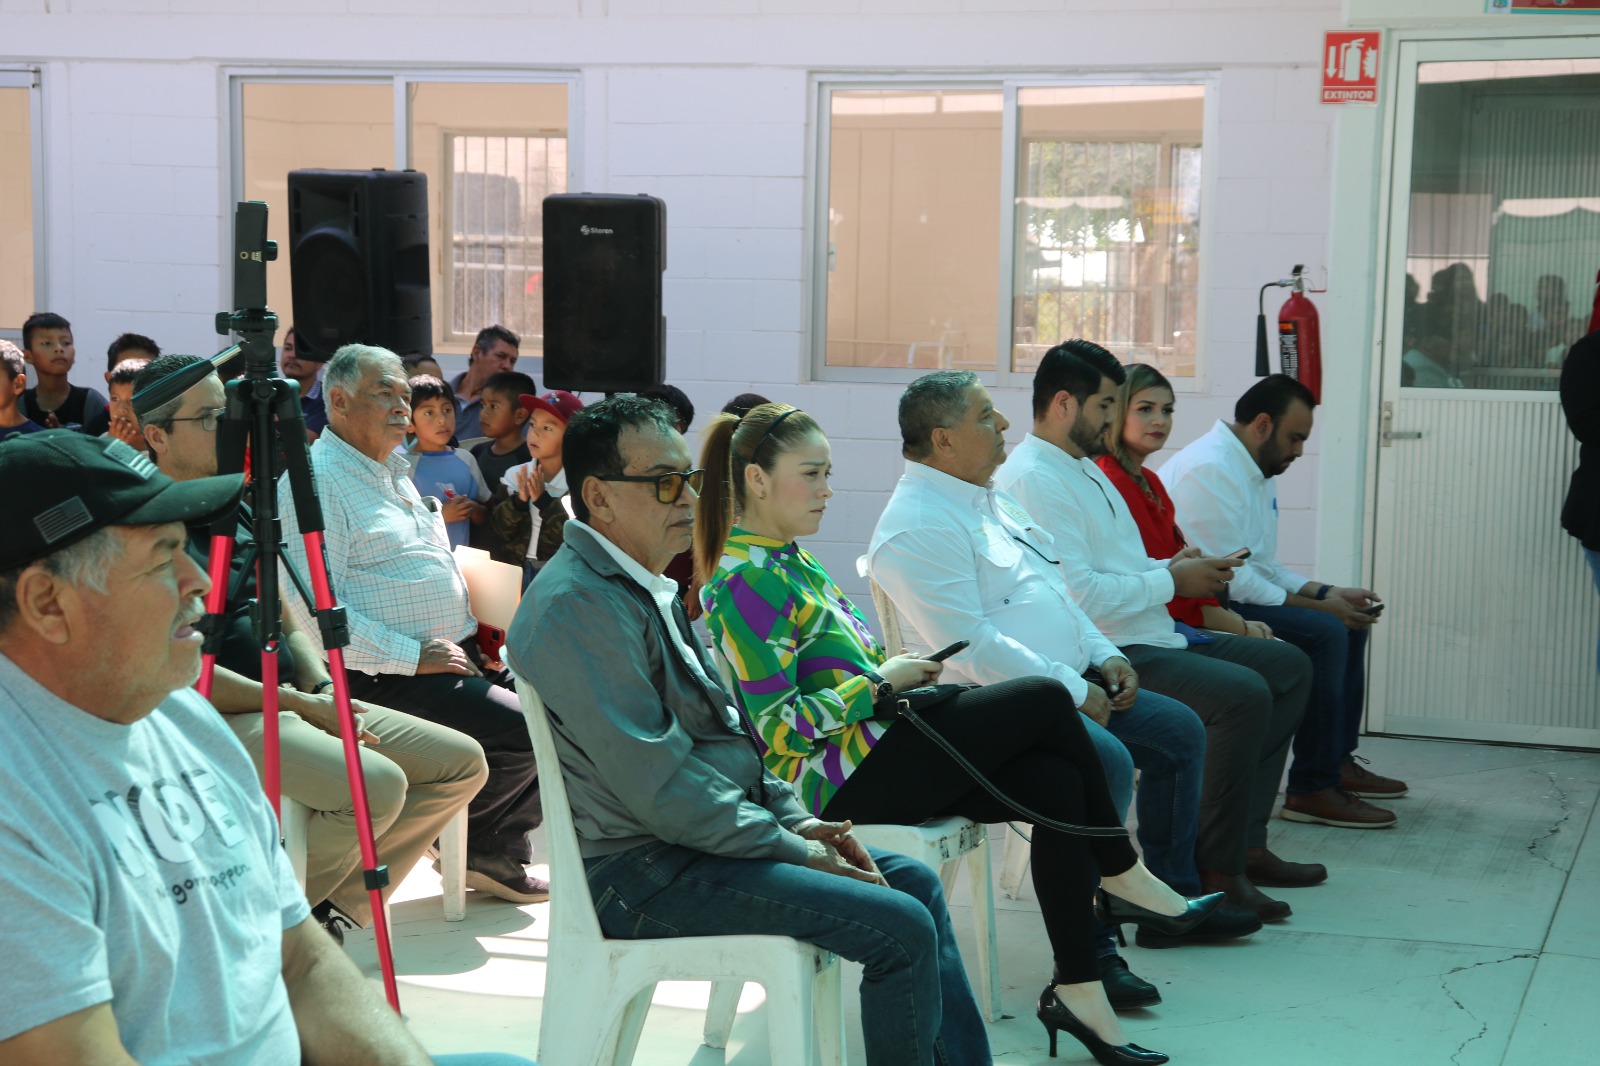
x: 1332, y: 727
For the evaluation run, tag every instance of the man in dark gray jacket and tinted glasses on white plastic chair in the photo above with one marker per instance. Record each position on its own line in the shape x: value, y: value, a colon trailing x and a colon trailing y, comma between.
x: 684, y: 833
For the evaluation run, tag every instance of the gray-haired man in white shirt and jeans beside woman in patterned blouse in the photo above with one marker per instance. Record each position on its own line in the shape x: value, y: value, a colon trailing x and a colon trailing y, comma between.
x: 966, y: 563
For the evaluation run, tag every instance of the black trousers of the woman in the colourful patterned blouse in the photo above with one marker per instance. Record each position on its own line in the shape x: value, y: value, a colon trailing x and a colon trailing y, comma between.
x: 1028, y: 739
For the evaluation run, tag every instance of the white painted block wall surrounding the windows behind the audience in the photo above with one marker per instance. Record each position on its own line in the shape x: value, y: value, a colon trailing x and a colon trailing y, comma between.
x: 700, y: 102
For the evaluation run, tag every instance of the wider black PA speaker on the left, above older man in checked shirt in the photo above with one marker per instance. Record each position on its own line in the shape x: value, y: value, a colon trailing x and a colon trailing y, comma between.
x: 359, y: 266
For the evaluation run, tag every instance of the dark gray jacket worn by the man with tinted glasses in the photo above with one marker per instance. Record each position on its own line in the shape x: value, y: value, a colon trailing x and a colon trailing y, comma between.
x: 649, y: 750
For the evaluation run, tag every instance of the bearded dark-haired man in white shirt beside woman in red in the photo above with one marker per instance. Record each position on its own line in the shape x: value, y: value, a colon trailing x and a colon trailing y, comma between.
x: 1250, y: 694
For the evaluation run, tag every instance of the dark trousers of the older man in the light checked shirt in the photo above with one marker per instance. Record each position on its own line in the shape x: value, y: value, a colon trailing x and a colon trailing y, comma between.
x: 506, y: 809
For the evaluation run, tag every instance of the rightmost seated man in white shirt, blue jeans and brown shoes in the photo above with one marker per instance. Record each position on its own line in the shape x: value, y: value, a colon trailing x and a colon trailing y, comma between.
x: 1226, y: 500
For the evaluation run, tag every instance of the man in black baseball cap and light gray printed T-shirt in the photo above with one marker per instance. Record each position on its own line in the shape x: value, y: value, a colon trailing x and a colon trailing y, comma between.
x: 151, y: 915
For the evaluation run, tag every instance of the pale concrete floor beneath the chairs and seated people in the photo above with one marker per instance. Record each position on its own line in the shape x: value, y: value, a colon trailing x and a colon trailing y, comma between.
x: 1468, y: 936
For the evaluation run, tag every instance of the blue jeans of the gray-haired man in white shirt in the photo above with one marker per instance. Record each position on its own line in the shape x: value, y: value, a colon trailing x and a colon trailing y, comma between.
x: 1166, y: 740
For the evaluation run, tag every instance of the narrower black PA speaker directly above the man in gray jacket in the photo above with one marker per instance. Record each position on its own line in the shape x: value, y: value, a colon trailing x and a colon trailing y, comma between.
x: 604, y: 257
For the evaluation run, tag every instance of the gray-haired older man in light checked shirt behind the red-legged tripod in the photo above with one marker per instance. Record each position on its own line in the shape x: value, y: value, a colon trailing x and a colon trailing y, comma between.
x: 414, y: 641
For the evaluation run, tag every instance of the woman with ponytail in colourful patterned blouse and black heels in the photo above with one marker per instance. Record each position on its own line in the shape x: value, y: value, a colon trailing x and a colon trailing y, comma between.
x: 822, y: 692
